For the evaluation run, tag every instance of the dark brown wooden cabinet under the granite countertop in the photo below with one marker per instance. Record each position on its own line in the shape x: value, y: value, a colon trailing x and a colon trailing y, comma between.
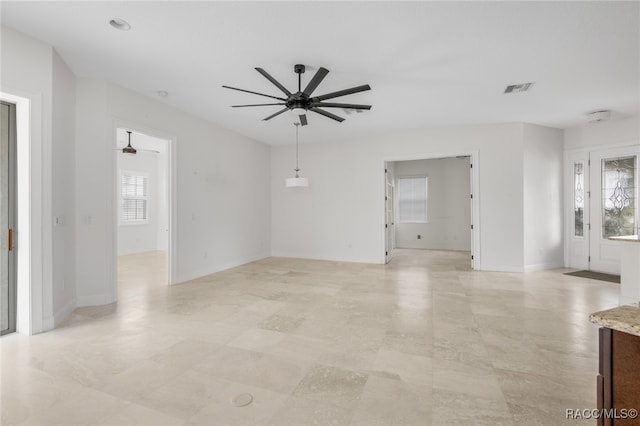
x: 618, y: 381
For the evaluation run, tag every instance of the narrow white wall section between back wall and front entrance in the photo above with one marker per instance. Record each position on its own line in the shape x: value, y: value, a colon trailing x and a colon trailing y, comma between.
x: 543, y: 186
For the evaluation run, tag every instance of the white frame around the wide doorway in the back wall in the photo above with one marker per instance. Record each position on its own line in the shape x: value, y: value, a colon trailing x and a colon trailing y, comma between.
x: 475, y: 200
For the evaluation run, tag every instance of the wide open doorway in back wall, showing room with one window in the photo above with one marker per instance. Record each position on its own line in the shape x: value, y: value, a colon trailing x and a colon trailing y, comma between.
x: 432, y: 205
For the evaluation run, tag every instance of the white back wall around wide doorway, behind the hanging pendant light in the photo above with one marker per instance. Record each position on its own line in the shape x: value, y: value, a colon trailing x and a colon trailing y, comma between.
x: 340, y: 215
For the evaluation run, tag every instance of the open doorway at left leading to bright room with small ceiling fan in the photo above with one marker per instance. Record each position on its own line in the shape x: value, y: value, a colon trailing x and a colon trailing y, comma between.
x: 143, y: 208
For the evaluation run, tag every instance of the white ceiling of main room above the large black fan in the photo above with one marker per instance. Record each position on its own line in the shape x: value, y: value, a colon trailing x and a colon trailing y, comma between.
x: 429, y: 64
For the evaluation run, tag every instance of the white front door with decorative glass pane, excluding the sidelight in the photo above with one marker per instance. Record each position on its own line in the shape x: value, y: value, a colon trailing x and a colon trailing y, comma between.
x: 614, y: 204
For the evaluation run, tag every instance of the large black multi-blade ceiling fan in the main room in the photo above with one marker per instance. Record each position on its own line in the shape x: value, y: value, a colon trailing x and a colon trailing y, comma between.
x: 301, y: 101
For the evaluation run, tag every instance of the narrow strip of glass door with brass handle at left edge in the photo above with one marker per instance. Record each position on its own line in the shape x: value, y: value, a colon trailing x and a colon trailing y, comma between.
x: 8, y: 283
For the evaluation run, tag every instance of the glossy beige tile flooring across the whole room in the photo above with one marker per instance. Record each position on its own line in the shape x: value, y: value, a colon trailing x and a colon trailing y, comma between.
x: 421, y: 341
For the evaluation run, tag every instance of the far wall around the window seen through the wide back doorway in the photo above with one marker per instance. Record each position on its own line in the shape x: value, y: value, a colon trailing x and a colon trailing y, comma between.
x: 448, y: 205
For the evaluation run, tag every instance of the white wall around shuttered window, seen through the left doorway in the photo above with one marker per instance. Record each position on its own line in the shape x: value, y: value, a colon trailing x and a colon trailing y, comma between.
x: 138, y: 238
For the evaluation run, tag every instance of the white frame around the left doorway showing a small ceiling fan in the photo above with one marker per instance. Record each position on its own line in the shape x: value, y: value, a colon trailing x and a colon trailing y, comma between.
x: 171, y: 198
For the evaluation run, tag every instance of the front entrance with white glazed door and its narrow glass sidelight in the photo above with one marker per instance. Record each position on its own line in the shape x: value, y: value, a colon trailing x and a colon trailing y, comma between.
x: 602, y: 202
